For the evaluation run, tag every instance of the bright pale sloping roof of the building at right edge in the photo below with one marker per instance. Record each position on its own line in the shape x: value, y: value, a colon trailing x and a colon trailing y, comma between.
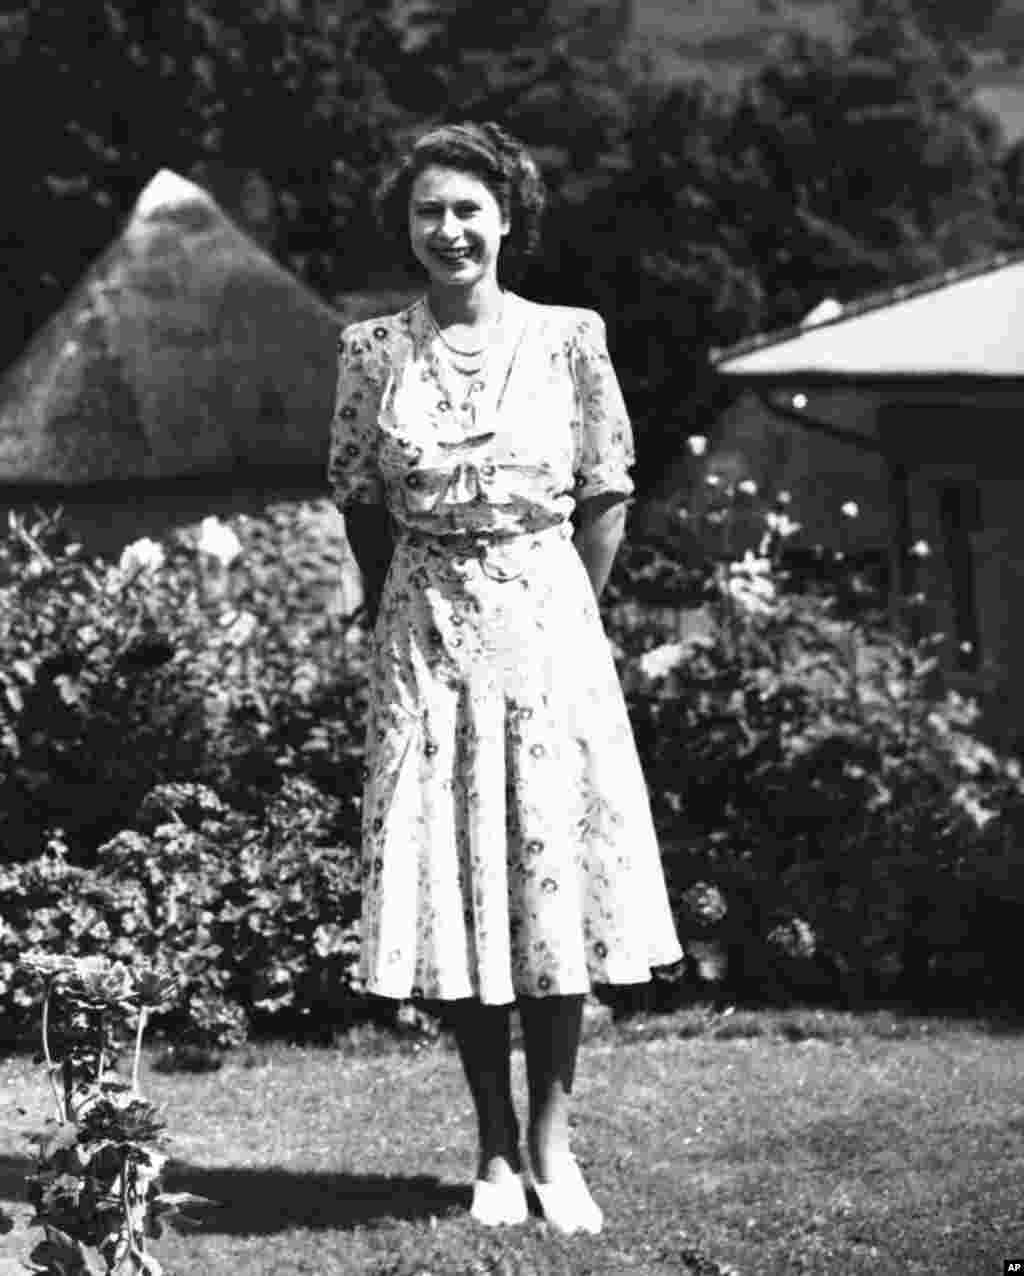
x: 965, y: 326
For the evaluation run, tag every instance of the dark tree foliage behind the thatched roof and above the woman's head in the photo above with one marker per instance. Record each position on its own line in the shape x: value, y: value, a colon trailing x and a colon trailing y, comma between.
x: 309, y: 96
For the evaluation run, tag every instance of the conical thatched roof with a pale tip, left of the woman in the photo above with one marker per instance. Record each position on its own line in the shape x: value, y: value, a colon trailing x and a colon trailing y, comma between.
x: 186, y: 349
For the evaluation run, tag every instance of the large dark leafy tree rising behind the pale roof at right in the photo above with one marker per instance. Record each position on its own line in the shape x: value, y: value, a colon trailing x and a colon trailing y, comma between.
x: 833, y: 172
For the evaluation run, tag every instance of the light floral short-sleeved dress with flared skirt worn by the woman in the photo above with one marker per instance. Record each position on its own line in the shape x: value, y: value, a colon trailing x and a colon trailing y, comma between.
x: 508, y: 840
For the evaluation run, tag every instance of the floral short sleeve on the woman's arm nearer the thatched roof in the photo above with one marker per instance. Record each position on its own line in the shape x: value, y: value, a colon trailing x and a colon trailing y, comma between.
x: 353, y: 465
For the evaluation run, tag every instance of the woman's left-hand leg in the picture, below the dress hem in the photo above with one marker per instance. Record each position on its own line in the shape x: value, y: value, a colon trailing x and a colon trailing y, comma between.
x: 484, y: 1038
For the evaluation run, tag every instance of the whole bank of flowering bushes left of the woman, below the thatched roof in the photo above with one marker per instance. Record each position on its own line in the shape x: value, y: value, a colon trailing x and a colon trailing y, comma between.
x: 180, y: 755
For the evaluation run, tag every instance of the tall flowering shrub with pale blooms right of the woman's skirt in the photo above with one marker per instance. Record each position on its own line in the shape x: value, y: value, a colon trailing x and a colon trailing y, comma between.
x: 812, y: 770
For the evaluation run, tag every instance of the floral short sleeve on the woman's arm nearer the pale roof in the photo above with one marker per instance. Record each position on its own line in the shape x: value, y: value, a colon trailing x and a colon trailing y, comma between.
x: 605, y: 447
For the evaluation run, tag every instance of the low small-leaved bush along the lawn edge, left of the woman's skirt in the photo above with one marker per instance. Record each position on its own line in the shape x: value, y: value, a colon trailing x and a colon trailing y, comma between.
x: 257, y: 921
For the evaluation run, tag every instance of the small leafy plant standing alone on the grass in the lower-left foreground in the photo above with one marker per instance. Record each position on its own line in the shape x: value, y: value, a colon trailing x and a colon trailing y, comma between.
x: 96, y: 1187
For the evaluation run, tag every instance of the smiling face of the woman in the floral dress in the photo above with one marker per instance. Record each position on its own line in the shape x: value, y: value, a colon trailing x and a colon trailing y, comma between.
x: 456, y: 228
